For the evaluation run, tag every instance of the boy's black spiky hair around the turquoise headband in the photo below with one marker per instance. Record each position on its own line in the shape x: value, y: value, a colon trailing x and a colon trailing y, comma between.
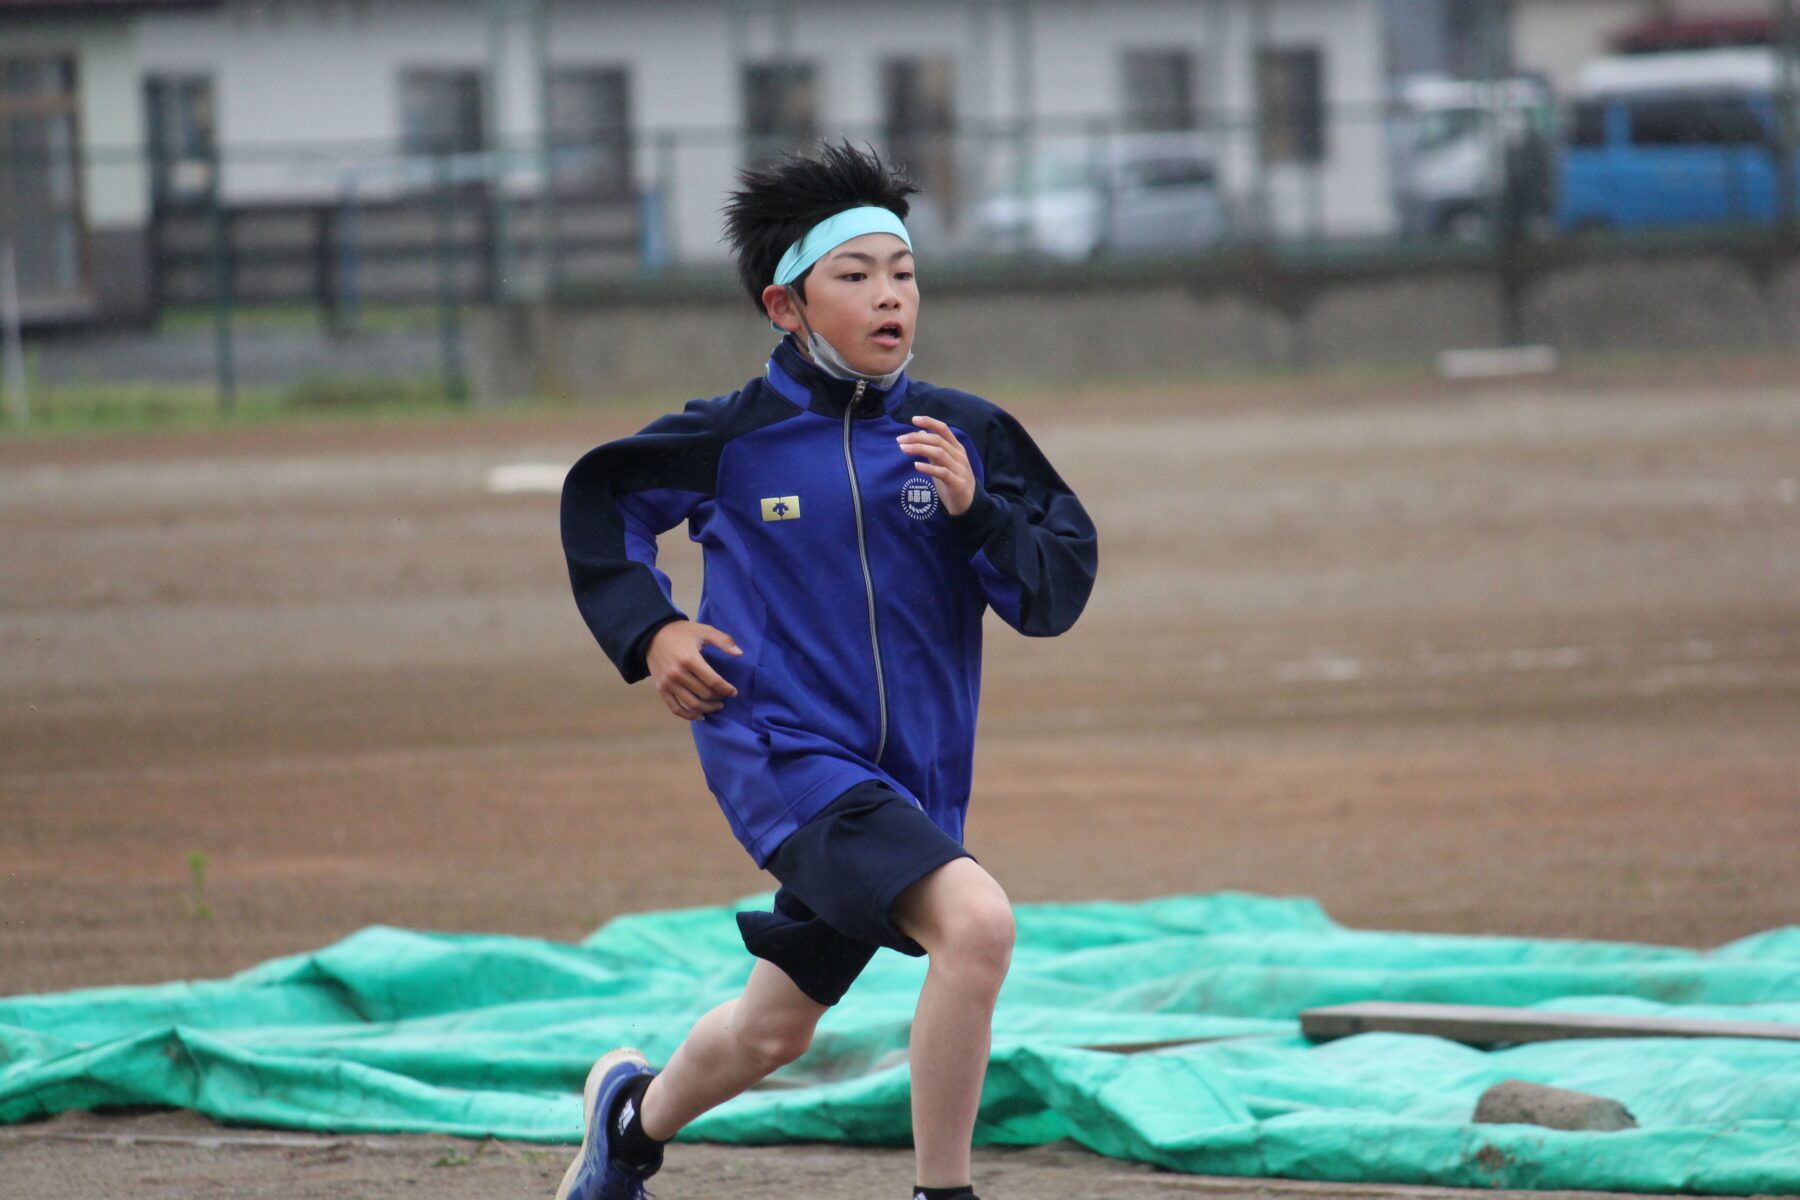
x: 782, y: 201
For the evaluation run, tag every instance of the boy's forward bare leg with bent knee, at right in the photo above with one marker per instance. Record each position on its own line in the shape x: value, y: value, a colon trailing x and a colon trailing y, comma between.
x: 964, y: 920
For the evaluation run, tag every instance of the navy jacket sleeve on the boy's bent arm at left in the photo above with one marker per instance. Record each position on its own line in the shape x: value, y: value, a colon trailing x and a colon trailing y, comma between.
x: 615, y: 505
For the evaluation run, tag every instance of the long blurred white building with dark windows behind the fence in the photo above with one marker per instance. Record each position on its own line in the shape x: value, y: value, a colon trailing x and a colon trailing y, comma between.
x: 323, y: 100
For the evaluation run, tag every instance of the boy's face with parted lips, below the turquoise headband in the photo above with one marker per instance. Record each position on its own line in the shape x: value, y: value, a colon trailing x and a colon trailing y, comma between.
x: 863, y: 300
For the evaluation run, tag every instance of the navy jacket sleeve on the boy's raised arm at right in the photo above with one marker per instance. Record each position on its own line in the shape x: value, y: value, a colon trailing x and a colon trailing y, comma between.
x: 1029, y: 537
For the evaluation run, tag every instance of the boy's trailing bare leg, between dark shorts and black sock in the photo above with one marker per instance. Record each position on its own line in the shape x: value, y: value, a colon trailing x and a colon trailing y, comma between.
x: 732, y: 1048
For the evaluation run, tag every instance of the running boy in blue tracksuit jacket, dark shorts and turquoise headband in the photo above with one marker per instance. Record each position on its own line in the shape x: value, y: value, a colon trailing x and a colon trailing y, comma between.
x: 856, y: 526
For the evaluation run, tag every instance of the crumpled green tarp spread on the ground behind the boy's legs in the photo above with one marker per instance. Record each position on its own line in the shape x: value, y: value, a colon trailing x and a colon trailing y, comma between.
x: 481, y: 1035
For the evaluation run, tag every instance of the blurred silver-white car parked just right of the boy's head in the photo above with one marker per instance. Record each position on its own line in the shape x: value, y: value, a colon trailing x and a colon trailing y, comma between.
x: 1126, y: 195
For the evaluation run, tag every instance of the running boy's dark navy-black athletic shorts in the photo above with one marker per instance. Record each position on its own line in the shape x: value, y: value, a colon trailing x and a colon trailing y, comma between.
x: 841, y: 875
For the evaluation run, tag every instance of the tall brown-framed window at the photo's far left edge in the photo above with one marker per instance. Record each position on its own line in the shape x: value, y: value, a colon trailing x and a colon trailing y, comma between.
x: 40, y: 177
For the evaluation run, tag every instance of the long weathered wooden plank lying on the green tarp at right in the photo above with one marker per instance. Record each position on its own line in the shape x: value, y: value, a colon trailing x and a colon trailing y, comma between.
x: 1509, y: 1026
